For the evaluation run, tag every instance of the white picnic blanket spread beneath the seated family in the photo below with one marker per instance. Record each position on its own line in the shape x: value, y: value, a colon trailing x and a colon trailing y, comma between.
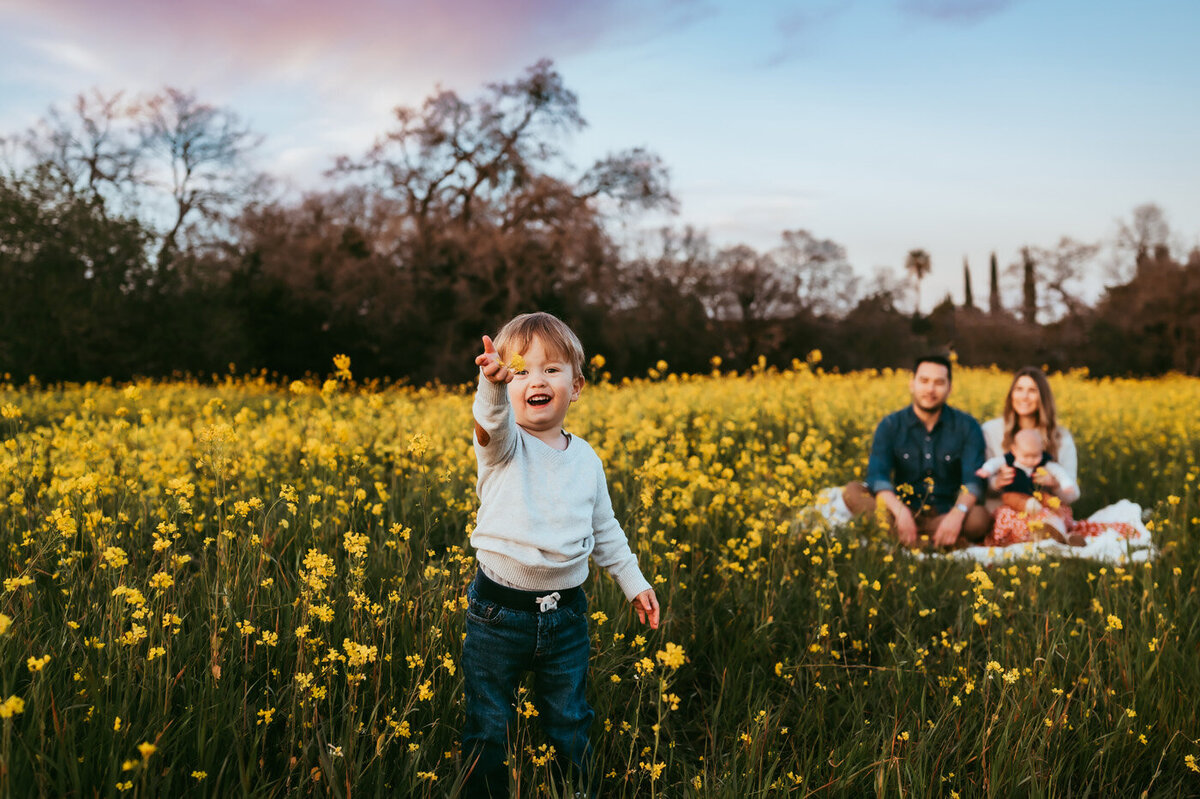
x: 1109, y: 546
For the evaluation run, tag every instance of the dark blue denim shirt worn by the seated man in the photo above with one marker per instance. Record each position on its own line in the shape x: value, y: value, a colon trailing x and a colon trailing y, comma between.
x: 905, y: 454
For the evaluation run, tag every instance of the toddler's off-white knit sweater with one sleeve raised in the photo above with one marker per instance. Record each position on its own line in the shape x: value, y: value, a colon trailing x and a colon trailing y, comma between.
x: 543, y: 512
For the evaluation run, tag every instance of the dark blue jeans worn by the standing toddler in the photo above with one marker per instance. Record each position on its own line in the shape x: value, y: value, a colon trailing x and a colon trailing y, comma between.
x: 501, y: 646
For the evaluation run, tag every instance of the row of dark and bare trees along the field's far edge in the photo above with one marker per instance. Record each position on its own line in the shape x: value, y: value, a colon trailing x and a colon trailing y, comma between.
x: 136, y: 239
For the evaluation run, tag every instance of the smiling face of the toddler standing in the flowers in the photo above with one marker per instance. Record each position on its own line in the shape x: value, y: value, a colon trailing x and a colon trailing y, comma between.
x: 543, y: 392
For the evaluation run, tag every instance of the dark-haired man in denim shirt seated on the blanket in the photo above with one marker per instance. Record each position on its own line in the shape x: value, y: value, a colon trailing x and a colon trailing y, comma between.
x: 923, y: 466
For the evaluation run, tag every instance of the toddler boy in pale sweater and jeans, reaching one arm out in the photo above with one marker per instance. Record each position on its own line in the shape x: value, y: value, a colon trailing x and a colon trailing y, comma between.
x: 544, y: 512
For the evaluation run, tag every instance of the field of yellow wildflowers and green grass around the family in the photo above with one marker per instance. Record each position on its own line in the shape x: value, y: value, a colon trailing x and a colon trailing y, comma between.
x: 242, y: 588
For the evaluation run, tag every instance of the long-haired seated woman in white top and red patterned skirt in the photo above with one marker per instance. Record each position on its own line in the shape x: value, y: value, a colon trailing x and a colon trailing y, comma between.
x: 1030, y: 406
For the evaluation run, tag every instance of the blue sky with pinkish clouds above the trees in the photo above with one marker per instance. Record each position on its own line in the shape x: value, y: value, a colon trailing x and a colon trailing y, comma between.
x: 963, y: 128
